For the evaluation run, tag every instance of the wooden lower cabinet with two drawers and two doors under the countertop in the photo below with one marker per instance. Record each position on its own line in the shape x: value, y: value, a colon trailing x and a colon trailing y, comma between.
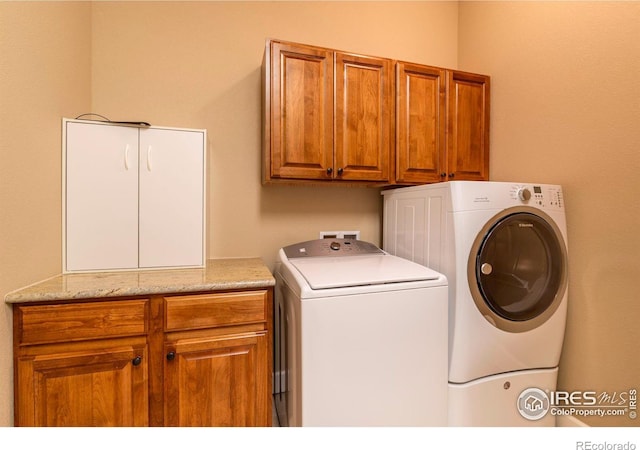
x: 141, y: 362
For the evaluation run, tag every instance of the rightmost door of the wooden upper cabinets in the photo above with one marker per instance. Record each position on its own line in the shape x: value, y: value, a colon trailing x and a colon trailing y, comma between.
x: 468, y: 126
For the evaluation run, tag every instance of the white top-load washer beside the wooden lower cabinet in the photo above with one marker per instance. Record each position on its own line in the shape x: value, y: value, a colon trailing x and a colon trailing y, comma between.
x: 365, y: 336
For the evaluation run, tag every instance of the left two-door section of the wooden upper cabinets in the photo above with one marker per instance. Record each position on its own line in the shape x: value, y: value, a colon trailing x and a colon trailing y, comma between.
x: 309, y: 137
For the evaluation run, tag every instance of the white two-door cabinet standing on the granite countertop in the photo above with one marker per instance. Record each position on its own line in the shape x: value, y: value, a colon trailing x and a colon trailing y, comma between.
x: 133, y: 197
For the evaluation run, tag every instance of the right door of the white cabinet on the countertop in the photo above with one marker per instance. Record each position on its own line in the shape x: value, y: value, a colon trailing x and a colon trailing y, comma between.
x: 171, y: 198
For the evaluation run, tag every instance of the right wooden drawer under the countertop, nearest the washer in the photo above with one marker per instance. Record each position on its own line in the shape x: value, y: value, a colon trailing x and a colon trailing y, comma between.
x: 213, y: 310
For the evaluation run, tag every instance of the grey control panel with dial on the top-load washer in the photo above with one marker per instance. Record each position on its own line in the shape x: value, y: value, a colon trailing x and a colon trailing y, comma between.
x: 331, y: 247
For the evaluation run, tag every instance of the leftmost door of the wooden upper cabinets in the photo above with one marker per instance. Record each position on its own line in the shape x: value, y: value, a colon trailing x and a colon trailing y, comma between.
x: 301, y: 112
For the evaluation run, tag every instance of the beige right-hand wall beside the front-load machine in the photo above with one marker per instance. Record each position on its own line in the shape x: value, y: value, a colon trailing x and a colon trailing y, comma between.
x: 566, y: 110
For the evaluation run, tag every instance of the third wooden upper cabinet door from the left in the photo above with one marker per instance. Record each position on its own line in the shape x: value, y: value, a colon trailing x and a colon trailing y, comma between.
x: 420, y: 118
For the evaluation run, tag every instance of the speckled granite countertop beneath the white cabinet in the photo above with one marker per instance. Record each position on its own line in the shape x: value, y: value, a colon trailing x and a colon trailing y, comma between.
x: 219, y: 274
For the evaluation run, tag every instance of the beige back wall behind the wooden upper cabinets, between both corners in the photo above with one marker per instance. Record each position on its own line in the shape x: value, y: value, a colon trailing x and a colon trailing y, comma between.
x: 198, y: 65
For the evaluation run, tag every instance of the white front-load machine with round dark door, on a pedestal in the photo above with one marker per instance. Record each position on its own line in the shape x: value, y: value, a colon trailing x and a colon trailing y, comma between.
x: 503, y: 248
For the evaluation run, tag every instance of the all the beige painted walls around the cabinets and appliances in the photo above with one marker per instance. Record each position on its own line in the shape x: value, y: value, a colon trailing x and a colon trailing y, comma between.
x: 564, y: 110
